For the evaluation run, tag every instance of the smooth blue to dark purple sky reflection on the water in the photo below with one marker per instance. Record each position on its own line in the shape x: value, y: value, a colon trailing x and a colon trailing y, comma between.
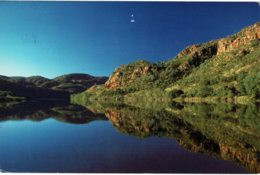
x: 52, y: 146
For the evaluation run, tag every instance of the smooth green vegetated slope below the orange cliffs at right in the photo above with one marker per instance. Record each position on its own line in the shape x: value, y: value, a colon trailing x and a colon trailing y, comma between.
x: 225, y: 75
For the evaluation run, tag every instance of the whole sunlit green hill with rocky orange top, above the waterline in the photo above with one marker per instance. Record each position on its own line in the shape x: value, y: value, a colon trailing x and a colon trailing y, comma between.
x: 226, y: 69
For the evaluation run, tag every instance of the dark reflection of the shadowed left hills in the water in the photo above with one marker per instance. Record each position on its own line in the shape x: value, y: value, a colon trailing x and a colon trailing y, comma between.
x: 40, y: 110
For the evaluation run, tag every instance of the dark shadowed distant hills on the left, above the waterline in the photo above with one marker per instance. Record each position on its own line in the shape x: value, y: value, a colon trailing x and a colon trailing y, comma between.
x: 41, y: 87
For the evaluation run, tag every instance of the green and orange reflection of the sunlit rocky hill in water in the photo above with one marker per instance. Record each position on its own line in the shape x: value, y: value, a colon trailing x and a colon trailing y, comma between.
x: 229, y: 132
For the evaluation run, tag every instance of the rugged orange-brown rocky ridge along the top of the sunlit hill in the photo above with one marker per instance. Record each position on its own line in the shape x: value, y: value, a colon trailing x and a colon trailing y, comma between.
x: 186, y: 60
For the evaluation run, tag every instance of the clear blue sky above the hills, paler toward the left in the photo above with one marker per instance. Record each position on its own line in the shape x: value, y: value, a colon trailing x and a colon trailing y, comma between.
x: 55, y: 38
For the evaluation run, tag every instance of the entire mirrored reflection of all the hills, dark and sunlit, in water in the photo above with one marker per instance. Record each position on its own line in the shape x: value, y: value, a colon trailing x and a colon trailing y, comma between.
x: 230, y: 132
